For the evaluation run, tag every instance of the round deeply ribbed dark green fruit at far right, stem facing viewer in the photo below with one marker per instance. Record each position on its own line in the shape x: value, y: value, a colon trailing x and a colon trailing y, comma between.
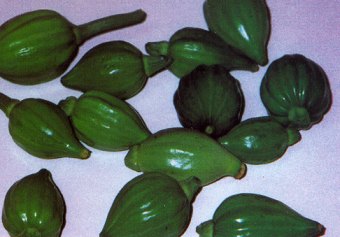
x: 295, y: 91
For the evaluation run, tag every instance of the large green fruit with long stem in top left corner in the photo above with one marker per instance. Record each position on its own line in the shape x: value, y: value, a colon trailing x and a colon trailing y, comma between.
x: 38, y: 46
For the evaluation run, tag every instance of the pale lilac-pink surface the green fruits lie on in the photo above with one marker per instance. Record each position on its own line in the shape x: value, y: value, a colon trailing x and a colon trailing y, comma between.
x: 307, y: 177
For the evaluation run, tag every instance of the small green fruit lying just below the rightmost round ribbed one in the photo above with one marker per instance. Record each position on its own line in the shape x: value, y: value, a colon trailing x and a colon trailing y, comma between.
x: 259, y: 140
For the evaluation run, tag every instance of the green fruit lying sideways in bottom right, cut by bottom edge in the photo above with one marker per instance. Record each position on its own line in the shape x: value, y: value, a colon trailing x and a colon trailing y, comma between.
x: 255, y: 215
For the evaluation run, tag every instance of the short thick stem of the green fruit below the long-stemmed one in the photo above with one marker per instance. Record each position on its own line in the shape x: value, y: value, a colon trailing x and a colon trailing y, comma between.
x: 155, y: 64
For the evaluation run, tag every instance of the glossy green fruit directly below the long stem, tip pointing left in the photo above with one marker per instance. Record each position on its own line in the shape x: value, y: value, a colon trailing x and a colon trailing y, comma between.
x: 115, y: 67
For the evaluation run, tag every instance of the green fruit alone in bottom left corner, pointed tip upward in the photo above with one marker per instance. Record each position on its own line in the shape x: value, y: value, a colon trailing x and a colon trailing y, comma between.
x: 34, y: 207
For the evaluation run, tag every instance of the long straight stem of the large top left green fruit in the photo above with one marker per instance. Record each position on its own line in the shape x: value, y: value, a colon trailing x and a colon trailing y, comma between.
x: 86, y: 31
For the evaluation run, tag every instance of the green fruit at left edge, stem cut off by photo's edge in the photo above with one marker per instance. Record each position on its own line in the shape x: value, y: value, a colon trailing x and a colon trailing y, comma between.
x: 41, y: 128
